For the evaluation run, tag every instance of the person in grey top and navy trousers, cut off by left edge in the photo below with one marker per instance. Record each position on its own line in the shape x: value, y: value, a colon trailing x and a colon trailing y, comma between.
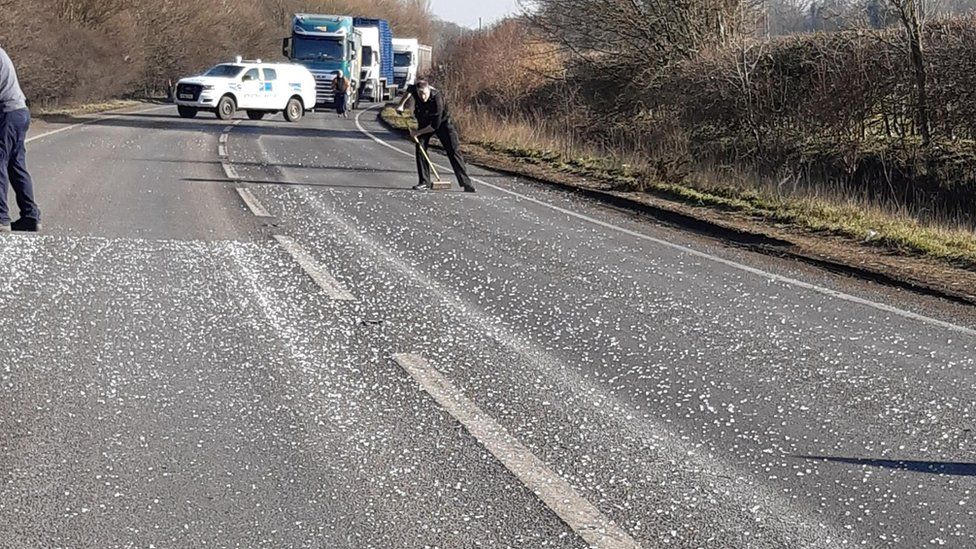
x: 14, y: 122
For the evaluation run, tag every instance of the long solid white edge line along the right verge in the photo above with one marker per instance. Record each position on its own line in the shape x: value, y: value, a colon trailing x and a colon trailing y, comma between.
x: 716, y: 259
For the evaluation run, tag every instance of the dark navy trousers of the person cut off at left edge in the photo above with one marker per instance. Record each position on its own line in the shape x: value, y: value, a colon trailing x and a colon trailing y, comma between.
x: 13, y: 166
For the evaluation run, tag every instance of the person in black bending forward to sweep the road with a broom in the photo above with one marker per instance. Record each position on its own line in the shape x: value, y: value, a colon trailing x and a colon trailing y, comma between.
x: 434, y: 118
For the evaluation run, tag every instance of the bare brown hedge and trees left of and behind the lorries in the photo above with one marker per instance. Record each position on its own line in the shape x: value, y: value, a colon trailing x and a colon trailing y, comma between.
x: 81, y: 50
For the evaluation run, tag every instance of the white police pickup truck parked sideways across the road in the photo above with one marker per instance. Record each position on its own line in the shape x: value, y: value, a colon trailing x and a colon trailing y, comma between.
x: 256, y: 87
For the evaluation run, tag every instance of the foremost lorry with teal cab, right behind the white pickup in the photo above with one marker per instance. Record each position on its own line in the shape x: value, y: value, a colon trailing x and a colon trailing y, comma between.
x: 325, y: 45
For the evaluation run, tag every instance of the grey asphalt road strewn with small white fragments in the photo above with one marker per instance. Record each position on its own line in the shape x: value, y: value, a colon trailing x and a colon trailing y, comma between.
x: 254, y: 335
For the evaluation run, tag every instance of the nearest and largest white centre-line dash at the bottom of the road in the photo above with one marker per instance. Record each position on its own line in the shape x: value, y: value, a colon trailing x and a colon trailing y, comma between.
x: 582, y: 516
